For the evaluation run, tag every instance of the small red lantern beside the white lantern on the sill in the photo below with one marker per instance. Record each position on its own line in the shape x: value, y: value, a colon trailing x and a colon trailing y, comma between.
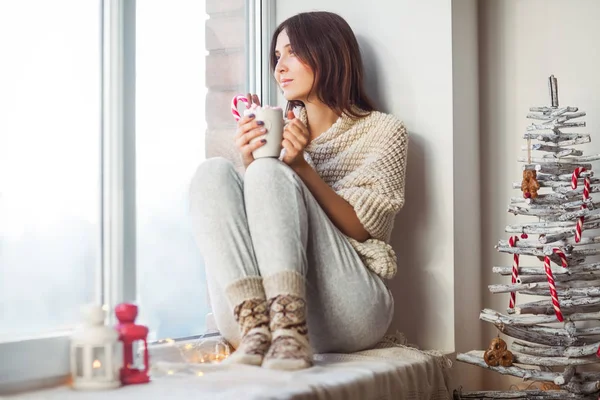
x: 129, y: 333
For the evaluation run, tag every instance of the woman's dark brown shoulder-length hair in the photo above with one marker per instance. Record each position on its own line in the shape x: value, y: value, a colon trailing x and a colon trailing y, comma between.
x: 325, y: 42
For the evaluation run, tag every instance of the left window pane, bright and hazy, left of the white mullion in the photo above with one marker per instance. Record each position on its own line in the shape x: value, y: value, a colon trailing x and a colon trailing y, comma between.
x: 49, y: 163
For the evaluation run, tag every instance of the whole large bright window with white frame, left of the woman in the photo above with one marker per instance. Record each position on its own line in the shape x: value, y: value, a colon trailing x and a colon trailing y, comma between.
x: 107, y: 108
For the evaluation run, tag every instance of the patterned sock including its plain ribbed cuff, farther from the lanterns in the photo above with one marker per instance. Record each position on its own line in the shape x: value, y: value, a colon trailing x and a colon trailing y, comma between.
x: 290, y: 349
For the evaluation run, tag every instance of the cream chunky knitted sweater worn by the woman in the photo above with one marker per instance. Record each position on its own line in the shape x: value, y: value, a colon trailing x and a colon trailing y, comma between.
x: 364, y: 161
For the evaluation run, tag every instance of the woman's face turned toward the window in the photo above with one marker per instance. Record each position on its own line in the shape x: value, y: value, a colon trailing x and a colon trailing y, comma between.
x: 293, y: 77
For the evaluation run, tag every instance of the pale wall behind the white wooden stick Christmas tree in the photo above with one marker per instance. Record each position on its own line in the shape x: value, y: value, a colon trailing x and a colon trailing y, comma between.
x: 521, y: 44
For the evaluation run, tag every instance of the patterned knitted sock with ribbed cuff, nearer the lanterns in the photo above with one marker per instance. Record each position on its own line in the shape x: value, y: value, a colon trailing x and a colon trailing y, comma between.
x: 251, y: 314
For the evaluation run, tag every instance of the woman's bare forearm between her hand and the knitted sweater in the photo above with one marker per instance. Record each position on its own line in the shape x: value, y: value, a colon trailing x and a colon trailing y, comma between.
x: 339, y: 211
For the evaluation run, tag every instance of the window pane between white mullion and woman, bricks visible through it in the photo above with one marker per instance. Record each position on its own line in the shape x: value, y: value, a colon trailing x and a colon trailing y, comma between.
x: 189, y: 61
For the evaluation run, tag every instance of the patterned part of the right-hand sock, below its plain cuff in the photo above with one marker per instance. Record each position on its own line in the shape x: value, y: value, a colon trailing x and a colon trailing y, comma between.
x: 290, y: 349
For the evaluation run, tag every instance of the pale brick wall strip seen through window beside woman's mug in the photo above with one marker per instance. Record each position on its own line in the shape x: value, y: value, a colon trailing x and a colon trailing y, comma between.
x: 225, y: 73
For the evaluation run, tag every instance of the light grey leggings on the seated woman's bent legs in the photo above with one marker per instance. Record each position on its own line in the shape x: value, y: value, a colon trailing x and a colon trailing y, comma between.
x: 270, y: 222
